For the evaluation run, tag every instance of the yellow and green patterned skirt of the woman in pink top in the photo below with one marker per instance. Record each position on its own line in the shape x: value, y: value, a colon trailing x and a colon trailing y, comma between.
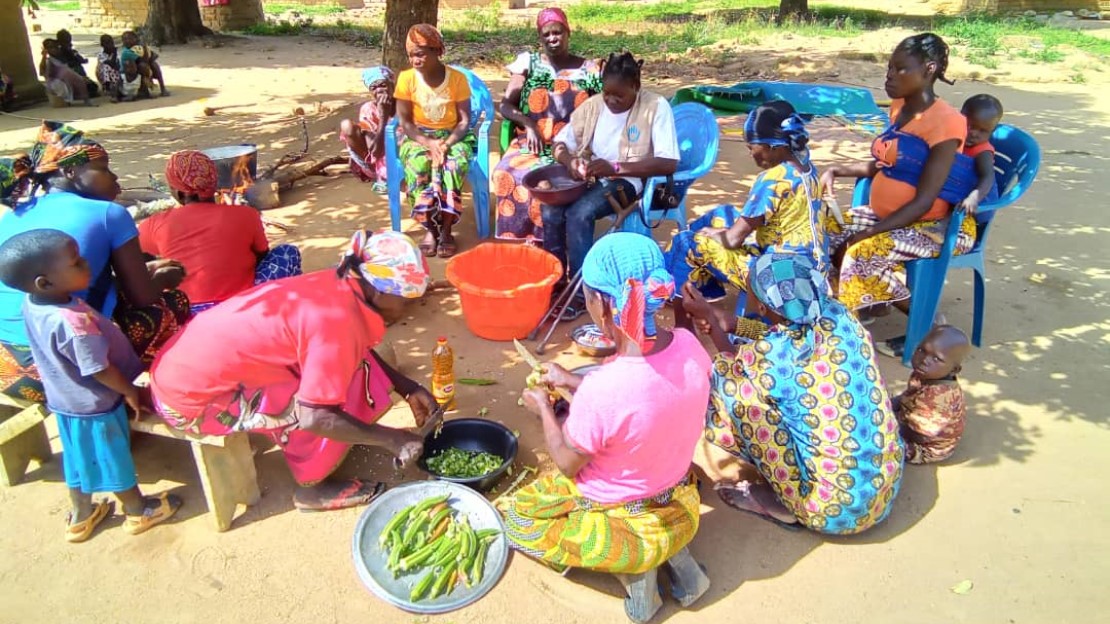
x: 551, y: 521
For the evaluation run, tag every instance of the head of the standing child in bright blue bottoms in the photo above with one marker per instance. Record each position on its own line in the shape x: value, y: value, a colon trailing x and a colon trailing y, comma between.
x: 44, y: 263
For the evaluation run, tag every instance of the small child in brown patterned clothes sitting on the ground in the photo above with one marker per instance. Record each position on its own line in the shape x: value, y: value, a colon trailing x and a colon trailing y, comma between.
x: 932, y: 409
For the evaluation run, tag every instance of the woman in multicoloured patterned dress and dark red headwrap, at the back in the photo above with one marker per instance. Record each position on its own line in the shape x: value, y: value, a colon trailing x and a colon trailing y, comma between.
x: 544, y: 89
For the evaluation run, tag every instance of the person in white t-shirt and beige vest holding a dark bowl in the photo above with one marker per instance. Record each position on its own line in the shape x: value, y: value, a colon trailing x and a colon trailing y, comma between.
x: 618, y: 138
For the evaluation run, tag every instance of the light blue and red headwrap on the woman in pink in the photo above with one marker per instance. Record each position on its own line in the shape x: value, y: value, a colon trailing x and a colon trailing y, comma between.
x: 630, y: 269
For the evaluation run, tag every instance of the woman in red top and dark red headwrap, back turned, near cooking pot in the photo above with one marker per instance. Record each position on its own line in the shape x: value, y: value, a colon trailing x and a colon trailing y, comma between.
x: 223, y: 247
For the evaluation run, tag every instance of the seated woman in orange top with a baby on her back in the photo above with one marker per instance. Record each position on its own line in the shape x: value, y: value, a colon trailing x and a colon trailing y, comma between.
x: 904, y: 222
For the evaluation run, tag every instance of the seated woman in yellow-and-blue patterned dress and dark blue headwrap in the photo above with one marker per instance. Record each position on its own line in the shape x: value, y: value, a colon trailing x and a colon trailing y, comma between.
x: 782, y: 213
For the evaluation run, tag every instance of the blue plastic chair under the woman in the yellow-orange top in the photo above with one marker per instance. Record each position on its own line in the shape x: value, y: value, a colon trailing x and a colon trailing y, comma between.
x: 479, y: 176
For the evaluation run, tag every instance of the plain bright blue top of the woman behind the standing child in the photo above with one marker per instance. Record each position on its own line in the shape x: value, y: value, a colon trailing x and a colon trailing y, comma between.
x: 99, y: 229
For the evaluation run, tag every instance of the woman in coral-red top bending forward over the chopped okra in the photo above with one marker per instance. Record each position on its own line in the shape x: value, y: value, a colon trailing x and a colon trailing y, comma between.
x: 294, y: 359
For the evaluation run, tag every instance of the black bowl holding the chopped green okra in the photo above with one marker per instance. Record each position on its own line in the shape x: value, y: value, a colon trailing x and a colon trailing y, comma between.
x: 472, y: 435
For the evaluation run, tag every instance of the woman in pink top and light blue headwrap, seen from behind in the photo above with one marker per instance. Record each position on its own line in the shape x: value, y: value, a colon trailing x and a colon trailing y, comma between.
x: 624, y: 500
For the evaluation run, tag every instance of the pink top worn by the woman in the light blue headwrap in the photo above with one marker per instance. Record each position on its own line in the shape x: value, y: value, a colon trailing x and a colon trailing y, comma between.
x: 641, y: 419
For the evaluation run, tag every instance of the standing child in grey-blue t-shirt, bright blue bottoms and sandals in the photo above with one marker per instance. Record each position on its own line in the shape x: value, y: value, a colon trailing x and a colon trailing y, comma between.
x: 88, y: 368
